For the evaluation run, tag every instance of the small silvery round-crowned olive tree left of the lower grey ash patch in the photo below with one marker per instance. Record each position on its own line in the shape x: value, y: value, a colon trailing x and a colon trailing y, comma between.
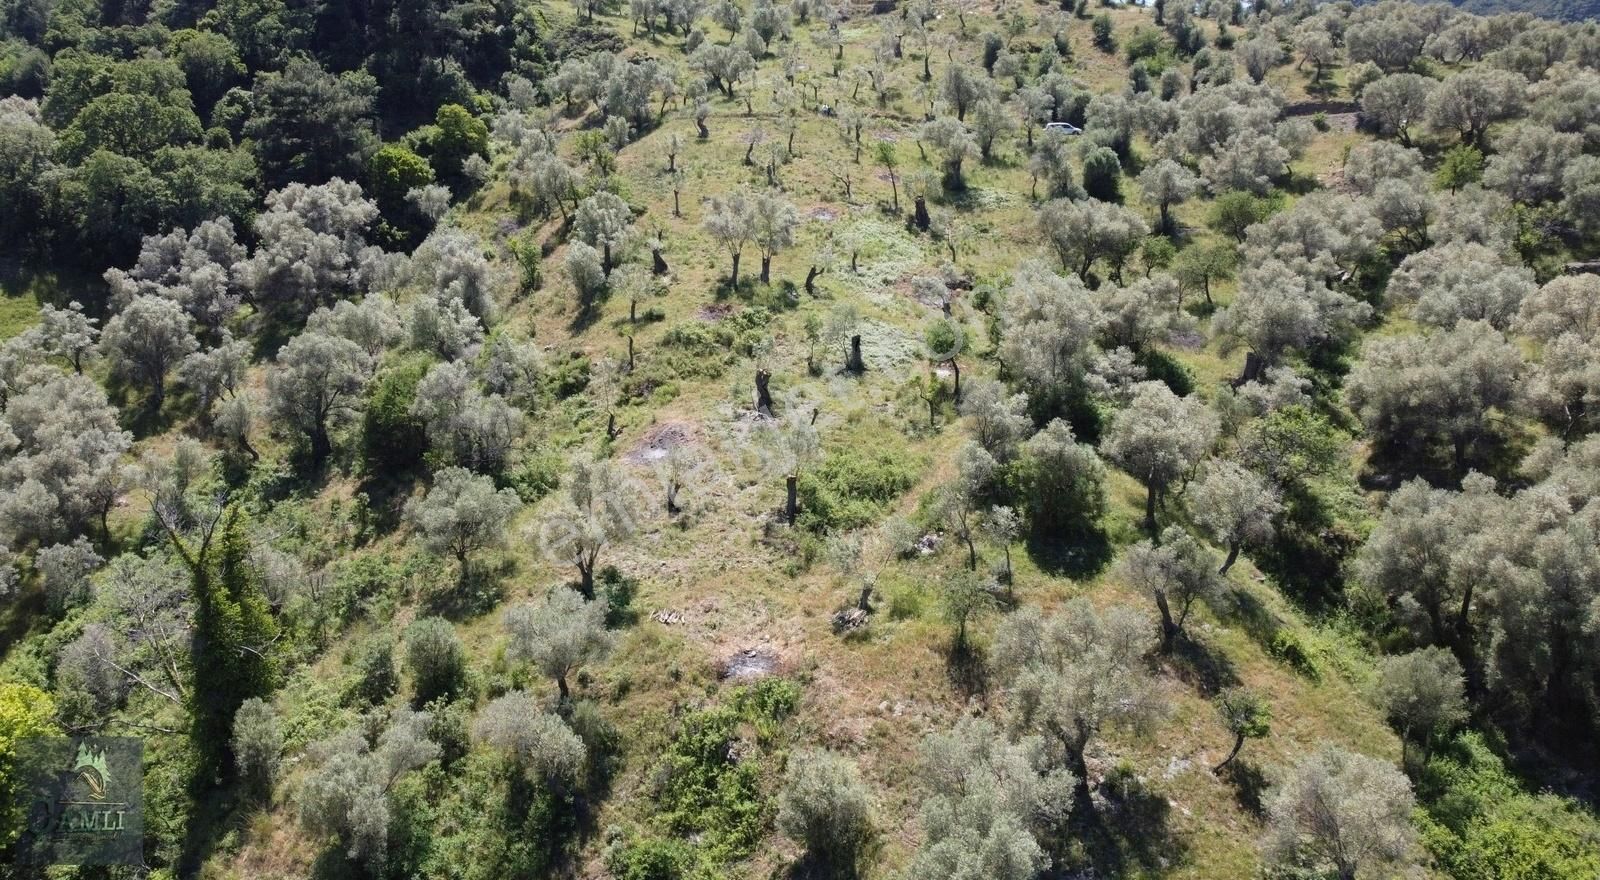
x: 559, y: 636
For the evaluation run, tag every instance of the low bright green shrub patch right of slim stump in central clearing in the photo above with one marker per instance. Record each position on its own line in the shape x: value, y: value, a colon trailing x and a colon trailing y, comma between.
x: 852, y: 487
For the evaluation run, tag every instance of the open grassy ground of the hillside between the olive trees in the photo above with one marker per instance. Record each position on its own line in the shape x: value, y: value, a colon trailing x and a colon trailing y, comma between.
x: 724, y: 615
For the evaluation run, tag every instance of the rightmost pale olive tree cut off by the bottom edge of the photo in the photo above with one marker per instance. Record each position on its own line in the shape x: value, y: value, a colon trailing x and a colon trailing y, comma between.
x: 1342, y: 812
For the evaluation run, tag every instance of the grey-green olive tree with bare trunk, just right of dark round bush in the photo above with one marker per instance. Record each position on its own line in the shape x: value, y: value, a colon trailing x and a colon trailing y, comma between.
x: 1159, y: 439
